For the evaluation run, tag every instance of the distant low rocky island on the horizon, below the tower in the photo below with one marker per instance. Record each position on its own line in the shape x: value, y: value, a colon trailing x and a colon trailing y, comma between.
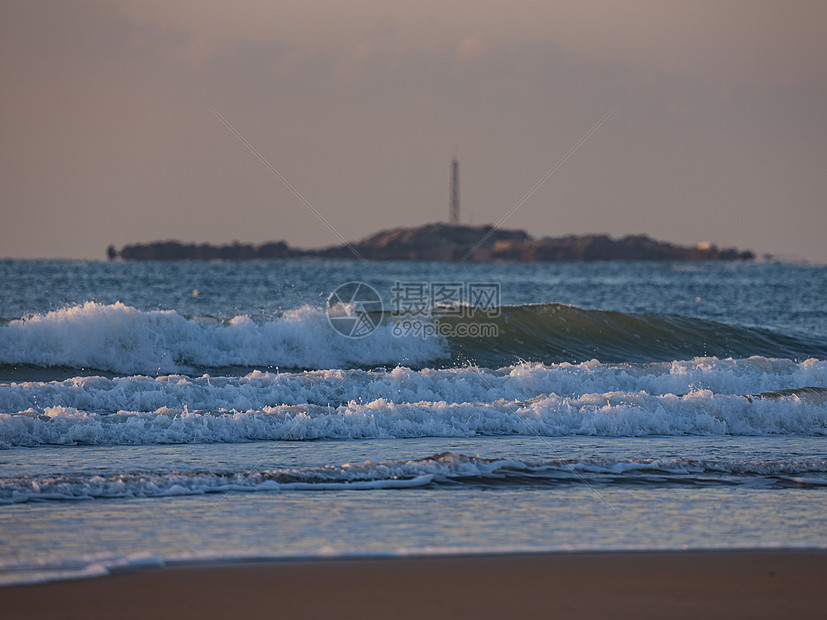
x: 447, y: 242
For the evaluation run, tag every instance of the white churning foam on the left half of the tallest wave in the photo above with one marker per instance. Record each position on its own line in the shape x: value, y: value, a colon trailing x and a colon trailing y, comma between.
x: 123, y: 339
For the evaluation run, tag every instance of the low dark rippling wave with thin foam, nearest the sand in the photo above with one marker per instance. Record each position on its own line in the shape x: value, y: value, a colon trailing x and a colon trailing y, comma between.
x: 446, y: 469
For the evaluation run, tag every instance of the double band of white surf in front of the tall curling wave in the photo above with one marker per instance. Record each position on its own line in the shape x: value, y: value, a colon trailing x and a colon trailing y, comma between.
x: 705, y: 396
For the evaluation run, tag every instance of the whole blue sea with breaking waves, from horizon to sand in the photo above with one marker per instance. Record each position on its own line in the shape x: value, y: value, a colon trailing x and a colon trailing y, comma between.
x: 169, y: 413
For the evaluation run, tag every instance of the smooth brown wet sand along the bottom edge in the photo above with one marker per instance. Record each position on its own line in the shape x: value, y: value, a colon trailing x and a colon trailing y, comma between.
x: 756, y: 584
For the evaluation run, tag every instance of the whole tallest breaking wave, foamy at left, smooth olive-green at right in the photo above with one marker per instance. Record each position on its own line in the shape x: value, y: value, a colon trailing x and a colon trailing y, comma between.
x: 122, y: 339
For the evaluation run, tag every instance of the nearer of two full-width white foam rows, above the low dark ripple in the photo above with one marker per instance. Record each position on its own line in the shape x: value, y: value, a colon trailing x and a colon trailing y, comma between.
x: 628, y: 414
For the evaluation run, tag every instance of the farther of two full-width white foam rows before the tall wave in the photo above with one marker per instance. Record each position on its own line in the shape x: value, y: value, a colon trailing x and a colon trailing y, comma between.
x: 258, y: 389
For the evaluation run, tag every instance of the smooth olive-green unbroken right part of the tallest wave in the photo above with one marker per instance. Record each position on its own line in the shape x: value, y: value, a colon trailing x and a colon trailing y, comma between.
x: 558, y: 332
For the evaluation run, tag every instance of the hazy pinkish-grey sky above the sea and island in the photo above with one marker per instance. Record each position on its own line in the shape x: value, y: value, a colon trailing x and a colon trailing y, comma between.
x: 107, y: 136
